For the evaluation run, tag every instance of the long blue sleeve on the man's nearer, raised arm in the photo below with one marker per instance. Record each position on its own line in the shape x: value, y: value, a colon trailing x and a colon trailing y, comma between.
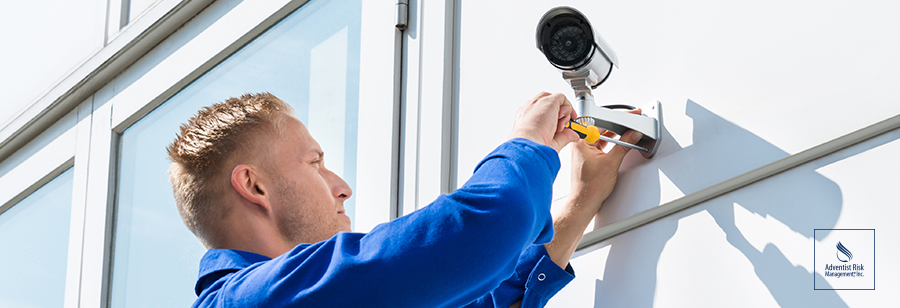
x: 448, y: 253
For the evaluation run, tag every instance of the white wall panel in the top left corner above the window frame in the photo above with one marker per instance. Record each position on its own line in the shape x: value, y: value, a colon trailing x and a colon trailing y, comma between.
x: 43, y: 41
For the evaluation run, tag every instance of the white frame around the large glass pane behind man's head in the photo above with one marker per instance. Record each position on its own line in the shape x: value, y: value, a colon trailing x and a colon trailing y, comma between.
x: 118, y: 109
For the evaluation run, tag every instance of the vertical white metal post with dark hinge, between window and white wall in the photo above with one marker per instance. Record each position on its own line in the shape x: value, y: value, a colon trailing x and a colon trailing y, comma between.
x: 429, y: 104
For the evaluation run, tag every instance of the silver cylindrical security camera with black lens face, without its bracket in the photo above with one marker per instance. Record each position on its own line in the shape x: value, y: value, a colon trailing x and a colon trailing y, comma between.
x: 569, y: 42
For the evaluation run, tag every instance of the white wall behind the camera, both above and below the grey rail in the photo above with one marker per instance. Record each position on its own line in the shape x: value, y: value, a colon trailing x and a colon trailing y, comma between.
x: 742, y: 86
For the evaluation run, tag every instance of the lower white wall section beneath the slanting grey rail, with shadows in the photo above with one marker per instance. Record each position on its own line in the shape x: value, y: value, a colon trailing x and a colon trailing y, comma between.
x: 753, y: 247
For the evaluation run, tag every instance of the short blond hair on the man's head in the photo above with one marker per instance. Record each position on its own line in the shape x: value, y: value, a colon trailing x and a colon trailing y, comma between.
x: 209, y: 145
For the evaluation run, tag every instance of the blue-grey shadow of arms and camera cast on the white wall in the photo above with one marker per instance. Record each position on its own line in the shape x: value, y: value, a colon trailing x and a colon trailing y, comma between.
x: 800, y: 198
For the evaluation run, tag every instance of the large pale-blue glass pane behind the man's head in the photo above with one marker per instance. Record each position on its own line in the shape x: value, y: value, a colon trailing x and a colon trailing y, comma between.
x: 311, y: 61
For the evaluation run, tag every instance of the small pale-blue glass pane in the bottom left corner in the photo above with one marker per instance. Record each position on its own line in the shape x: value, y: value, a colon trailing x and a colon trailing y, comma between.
x: 34, y: 236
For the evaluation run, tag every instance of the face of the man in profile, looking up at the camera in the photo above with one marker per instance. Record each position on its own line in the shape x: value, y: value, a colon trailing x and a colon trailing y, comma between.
x: 308, y: 199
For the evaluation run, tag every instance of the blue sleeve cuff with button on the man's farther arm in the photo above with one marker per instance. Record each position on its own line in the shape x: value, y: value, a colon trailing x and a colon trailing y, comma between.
x: 536, y: 280
